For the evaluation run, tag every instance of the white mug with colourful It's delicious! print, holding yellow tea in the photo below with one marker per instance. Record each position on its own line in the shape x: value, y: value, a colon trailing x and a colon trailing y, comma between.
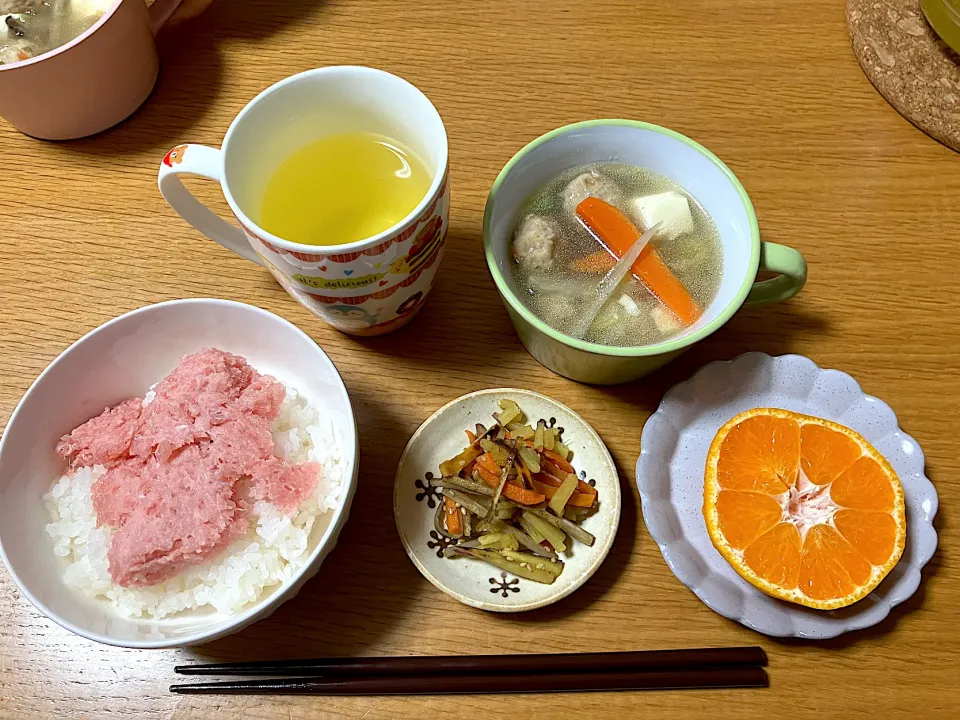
x: 370, y: 287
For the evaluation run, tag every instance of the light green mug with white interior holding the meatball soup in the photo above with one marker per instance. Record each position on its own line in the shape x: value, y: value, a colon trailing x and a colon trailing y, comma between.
x: 677, y: 157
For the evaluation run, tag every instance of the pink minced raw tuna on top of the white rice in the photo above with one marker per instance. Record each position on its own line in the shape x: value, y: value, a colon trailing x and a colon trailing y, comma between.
x: 181, y: 469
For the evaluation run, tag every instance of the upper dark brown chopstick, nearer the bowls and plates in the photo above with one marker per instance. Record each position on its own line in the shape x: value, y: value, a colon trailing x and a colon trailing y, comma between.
x: 608, y: 662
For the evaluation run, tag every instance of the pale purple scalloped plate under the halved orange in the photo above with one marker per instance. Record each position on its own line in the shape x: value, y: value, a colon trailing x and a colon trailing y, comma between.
x: 670, y: 478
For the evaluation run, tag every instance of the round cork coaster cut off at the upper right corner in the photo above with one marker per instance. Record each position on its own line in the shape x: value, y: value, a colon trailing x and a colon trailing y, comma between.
x: 908, y: 64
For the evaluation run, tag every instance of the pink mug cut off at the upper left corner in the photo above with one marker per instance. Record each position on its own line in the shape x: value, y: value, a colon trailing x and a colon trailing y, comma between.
x: 91, y: 83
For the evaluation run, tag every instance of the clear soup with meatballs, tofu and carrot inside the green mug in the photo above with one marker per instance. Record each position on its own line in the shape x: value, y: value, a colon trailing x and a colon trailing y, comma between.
x: 559, y: 262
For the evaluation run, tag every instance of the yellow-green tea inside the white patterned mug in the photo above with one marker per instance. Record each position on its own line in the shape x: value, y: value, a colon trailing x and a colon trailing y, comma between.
x: 343, y: 188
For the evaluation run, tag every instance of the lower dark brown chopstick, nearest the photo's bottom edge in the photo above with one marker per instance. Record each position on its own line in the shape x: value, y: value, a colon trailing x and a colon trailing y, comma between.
x: 734, y: 677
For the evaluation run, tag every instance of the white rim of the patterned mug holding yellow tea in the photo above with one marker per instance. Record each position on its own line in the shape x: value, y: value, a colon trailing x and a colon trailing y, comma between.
x: 410, y: 219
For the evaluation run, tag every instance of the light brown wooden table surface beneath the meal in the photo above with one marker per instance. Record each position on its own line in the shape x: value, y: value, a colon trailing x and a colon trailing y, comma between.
x: 772, y: 87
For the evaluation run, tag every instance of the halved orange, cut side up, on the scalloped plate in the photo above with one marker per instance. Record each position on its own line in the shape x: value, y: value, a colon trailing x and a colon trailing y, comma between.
x: 803, y: 508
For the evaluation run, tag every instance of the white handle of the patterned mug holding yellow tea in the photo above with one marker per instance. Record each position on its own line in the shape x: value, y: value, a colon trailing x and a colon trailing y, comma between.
x: 205, y: 162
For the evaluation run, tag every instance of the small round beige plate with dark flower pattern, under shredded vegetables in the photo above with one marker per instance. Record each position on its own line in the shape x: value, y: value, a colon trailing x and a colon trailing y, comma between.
x: 473, y: 582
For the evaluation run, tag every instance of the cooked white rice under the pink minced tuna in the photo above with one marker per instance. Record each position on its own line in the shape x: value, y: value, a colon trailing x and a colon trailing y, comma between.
x: 275, y: 548
